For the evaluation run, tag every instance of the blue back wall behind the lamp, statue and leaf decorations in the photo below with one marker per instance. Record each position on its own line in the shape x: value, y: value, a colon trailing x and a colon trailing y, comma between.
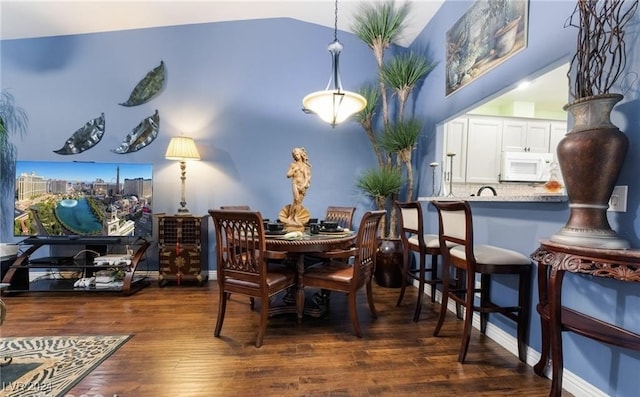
x: 235, y: 87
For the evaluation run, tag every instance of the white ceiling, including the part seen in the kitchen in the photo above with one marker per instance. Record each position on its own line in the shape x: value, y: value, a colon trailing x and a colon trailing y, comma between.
x: 40, y: 18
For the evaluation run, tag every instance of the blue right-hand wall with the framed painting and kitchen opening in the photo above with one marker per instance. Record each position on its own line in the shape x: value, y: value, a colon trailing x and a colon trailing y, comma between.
x: 521, y: 226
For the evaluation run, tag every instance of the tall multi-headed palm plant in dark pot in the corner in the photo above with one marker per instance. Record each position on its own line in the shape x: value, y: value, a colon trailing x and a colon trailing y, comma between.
x: 393, y: 134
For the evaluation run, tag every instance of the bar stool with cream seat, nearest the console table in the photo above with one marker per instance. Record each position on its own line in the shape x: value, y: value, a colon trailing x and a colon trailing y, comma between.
x: 456, y: 227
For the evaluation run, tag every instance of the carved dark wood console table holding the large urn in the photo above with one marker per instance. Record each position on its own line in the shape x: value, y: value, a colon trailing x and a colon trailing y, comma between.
x: 553, y: 261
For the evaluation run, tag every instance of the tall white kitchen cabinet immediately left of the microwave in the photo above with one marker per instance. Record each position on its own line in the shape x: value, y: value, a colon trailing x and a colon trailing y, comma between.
x: 484, y: 138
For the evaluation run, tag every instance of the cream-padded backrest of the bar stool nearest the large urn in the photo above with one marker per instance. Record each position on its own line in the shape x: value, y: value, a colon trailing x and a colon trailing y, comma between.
x: 456, y: 227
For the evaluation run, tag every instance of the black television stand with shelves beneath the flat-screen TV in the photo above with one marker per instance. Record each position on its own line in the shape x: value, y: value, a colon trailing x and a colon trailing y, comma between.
x: 83, y: 269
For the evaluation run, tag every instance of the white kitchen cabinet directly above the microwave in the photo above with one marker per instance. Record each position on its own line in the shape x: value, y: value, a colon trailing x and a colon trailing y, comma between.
x: 525, y: 136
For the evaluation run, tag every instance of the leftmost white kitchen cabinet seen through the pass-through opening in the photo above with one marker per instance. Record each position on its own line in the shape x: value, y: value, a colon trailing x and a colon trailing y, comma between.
x: 455, y: 141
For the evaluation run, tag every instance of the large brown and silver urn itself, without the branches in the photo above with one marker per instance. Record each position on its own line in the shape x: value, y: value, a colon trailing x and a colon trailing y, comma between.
x: 590, y: 158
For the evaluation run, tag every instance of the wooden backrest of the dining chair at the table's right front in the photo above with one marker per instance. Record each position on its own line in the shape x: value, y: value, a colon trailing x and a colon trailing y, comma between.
x: 366, y: 248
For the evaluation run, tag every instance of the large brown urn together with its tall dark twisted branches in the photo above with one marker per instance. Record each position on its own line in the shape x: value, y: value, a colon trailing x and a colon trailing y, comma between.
x: 592, y: 153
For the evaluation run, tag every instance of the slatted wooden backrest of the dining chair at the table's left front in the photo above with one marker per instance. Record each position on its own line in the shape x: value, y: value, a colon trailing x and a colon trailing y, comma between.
x: 240, y: 246
